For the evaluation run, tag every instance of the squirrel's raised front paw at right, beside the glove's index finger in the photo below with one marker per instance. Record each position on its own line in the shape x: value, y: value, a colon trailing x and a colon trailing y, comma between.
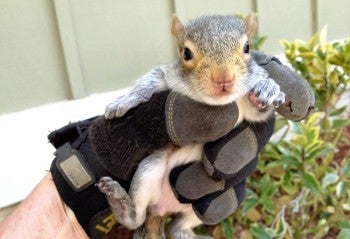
x: 267, y: 92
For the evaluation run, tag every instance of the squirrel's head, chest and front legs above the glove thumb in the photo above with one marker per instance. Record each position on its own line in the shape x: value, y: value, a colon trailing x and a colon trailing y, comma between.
x: 214, y: 67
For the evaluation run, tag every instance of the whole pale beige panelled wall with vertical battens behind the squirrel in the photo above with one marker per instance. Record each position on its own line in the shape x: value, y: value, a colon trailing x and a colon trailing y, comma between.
x: 54, y: 50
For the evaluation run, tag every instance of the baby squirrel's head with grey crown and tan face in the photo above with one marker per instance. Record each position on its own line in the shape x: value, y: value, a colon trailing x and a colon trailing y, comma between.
x: 214, y: 56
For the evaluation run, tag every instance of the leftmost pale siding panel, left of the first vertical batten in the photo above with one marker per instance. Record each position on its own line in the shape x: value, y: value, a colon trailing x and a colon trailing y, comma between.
x: 32, y: 70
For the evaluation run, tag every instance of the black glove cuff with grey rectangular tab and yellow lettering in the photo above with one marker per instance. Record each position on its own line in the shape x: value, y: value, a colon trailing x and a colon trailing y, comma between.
x: 74, y: 171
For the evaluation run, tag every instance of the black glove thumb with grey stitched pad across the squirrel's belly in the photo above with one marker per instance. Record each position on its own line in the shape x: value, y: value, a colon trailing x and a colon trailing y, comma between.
x: 168, y: 118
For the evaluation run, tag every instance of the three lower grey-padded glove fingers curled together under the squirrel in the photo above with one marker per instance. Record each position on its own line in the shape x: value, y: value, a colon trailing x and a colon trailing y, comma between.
x: 215, y: 185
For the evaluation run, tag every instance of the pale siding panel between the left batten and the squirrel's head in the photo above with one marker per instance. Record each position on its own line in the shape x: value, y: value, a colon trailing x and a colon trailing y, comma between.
x: 120, y: 40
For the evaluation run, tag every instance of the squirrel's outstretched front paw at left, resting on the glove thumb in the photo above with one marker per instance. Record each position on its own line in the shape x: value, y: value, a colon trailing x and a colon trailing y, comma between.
x: 122, y: 105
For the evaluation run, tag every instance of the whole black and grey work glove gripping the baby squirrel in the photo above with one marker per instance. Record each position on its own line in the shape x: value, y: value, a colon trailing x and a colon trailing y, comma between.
x: 119, y: 145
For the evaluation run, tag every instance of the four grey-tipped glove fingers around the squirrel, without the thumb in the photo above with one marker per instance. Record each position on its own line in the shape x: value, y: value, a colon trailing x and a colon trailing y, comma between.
x: 216, y: 185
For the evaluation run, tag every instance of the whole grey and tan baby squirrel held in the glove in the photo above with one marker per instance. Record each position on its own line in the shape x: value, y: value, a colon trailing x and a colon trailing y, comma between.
x: 214, y: 67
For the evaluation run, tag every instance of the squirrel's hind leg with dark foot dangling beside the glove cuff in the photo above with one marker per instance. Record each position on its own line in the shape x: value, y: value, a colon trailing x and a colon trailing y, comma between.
x: 130, y: 209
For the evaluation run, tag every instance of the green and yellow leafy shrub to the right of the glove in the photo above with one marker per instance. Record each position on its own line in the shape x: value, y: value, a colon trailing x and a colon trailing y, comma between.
x: 301, y: 188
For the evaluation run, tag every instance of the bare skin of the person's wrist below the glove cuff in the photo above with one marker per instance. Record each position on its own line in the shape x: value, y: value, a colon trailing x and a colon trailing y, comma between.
x: 42, y: 215
